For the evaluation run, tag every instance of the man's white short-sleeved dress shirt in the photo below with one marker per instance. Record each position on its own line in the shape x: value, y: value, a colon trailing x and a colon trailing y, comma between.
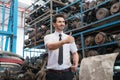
x: 53, y: 54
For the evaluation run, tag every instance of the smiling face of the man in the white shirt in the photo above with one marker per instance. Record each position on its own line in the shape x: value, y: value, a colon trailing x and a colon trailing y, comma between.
x: 60, y: 24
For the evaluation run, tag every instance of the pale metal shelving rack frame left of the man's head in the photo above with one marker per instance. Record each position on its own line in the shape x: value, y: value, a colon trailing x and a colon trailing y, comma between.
x: 36, y: 48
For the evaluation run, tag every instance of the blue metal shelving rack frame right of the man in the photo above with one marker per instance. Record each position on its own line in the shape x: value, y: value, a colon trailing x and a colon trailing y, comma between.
x: 85, y: 29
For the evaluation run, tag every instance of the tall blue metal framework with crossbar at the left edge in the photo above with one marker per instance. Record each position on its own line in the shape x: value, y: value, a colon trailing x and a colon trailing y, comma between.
x: 11, y: 32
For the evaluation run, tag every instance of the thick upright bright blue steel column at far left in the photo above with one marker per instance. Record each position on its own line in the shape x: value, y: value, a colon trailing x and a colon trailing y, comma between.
x: 12, y: 27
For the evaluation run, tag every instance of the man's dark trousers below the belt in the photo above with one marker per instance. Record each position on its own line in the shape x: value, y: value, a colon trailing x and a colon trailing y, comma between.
x: 55, y: 75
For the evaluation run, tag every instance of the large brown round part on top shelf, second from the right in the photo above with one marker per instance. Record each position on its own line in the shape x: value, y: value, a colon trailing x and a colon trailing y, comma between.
x: 102, y: 13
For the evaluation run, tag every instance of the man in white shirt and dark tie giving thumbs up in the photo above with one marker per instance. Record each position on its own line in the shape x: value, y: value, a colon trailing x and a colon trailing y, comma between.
x: 60, y: 70
